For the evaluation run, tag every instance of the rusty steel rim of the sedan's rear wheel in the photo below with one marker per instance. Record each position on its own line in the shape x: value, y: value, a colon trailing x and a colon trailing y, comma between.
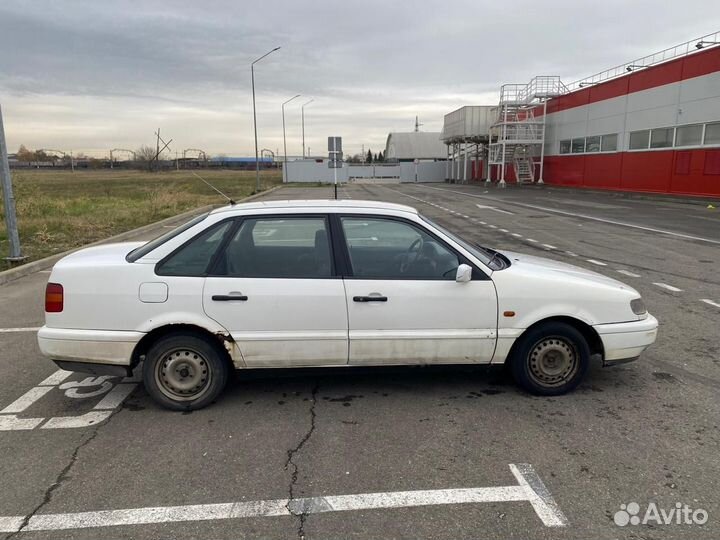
x: 183, y: 374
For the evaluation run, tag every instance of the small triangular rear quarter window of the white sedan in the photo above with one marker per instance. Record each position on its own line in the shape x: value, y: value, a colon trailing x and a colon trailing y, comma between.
x: 193, y: 258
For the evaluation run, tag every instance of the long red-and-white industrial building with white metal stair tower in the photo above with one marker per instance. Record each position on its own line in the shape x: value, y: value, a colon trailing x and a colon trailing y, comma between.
x: 651, y: 125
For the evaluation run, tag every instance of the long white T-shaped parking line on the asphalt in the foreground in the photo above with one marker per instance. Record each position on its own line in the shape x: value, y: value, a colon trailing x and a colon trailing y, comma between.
x: 530, y: 488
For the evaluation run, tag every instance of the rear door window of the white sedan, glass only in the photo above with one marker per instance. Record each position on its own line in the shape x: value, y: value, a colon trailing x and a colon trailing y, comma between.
x: 279, y: 248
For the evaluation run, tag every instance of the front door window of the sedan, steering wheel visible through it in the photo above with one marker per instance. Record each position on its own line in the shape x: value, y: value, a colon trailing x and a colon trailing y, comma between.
x: 391, y: 249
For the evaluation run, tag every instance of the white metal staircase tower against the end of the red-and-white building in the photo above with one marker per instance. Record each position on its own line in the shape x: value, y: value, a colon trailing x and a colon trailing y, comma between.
x: 516, y: 136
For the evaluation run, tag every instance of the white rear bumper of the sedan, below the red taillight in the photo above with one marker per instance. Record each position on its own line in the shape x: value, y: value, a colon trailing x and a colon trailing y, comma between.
x: 88, y: 346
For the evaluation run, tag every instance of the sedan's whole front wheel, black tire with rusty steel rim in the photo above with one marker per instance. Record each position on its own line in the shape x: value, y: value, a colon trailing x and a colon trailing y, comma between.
x: 550, y: 359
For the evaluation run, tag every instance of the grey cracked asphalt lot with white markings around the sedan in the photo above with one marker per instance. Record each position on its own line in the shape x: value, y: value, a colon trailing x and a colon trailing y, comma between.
x: 452, y: 452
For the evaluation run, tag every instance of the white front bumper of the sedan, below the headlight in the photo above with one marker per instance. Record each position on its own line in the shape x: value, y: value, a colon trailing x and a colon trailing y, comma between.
x: 624, y: 342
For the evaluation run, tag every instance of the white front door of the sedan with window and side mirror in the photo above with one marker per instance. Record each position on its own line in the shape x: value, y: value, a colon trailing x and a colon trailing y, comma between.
x: 404, y: 305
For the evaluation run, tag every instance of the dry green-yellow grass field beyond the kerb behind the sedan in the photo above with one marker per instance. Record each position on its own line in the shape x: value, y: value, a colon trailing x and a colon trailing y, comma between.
x: 60, y: 210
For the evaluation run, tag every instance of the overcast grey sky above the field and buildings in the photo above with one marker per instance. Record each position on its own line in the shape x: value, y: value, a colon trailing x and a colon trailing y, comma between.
x: 94, y: 75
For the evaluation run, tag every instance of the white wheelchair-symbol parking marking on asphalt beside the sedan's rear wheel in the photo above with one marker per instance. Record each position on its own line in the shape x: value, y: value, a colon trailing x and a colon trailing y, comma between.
x: 114, y: 395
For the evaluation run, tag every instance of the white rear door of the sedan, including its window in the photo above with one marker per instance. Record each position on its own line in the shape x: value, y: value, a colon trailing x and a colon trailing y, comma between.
x: 275, y: 288
